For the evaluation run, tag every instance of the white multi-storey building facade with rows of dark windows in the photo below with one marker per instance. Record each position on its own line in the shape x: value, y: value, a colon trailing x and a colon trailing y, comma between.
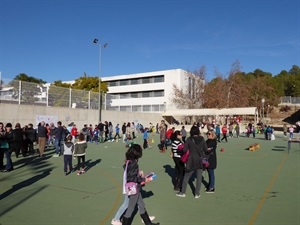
x: 144, y: 92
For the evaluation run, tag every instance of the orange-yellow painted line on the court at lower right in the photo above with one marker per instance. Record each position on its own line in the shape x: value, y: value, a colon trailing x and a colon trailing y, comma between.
x: 268, y: 189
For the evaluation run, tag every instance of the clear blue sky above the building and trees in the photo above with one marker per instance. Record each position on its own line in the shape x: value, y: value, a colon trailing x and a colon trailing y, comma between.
x: 53, y: 39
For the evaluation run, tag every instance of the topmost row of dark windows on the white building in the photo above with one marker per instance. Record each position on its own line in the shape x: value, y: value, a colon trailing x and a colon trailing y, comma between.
x: 133, y: 81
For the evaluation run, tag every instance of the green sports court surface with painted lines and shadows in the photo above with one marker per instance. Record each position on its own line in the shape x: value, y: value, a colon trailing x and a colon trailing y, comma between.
x: 252, y: 188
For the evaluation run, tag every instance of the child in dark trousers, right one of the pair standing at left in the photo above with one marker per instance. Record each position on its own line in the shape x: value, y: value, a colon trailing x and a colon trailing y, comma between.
x: 79, y: 151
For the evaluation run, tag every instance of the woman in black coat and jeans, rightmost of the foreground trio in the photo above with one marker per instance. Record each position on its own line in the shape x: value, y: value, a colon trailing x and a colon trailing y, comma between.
x: 211, y: 143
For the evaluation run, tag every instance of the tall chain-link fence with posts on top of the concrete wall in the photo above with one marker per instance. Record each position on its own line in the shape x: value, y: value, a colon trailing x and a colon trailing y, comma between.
x: 21, y: 92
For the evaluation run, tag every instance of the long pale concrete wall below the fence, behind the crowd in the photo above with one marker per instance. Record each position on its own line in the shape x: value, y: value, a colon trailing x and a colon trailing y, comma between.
x: 25, y: 114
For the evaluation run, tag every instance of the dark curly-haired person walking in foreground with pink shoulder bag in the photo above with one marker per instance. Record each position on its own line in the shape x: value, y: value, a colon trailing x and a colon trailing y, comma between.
x: 133, y: 175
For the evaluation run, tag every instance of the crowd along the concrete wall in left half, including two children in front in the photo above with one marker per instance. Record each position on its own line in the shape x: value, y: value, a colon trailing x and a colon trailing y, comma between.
x: 21, y: 140
